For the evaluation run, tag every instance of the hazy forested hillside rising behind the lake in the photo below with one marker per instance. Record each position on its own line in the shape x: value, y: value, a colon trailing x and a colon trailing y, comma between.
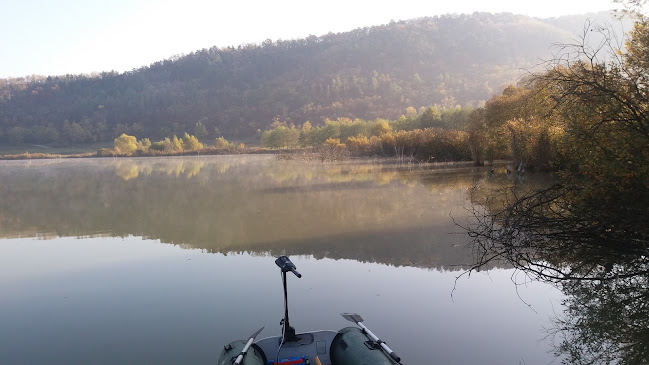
x: 236, y: 91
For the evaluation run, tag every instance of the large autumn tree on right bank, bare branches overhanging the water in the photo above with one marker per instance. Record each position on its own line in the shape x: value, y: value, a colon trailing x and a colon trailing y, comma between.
x: 591, y: 225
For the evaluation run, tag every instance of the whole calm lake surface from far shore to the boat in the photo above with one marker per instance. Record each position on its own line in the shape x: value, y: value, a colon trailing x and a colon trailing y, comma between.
x: 107, y: 261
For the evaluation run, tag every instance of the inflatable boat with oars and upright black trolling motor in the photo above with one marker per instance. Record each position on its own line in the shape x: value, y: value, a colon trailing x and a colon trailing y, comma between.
x: 349, y: 346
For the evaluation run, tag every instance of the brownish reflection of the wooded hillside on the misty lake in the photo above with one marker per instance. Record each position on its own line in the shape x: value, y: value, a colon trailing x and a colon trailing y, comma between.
x: 392, y: 214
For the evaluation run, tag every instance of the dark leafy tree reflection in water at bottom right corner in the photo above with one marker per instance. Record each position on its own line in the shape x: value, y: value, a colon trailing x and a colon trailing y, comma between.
x: 605, y: 321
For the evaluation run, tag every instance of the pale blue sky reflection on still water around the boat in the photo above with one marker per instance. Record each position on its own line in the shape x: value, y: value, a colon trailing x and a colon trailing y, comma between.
x: 133, y: 301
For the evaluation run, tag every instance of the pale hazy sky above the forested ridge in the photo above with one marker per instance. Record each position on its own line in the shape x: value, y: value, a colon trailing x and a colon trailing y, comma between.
x: 57, y: 37
